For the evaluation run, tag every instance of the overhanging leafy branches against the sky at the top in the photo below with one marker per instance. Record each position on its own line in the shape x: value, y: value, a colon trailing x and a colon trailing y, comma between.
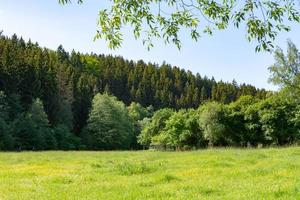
x: 165, y: 19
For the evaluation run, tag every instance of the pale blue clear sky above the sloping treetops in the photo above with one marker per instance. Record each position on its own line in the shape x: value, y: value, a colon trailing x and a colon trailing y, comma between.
x: 226, y: 55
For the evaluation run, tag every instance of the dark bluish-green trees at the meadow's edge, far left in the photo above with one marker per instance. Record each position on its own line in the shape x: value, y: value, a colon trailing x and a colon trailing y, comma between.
x: 30, y: 129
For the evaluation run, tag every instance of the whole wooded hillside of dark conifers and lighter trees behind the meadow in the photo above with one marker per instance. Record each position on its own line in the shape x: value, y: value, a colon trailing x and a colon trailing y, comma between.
x: 73, y: 101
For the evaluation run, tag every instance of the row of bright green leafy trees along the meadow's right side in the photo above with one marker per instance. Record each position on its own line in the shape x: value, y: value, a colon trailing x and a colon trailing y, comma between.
x: 246, y: 122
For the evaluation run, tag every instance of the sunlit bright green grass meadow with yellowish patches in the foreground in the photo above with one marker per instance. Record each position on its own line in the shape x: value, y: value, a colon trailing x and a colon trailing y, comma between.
x: 205, y: 174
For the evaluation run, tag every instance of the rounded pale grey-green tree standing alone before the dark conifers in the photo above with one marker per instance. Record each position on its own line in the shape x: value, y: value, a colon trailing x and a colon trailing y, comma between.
x: 109, y: 123
